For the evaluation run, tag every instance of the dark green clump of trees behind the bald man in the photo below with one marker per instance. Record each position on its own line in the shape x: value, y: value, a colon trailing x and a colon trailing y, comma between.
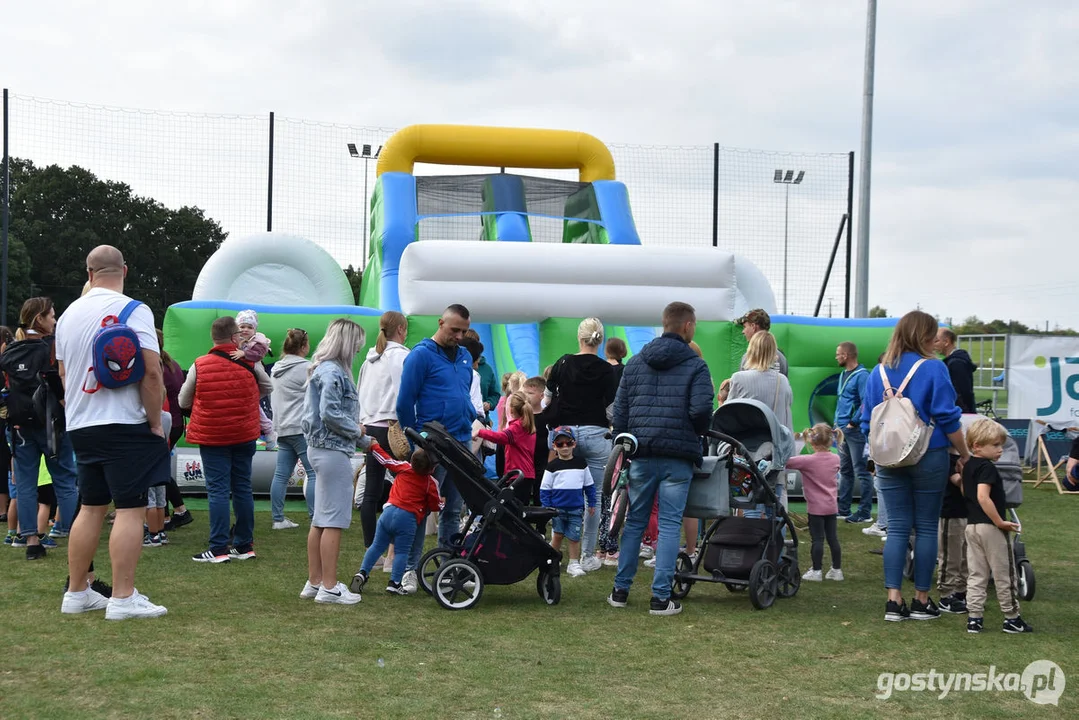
x: 62, y: 214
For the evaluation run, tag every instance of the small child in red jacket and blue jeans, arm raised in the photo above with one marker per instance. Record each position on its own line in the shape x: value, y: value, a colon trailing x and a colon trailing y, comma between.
x: 413, y: 496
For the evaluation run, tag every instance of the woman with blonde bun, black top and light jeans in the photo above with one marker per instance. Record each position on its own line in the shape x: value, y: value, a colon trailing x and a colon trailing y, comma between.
x: 582, y: 388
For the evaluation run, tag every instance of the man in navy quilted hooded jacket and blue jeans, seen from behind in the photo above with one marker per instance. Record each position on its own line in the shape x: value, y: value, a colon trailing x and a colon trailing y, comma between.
x: 665, y: 400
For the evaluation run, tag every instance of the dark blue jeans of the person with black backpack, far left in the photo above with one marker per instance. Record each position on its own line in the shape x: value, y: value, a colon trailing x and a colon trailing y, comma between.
x: 30, y: 445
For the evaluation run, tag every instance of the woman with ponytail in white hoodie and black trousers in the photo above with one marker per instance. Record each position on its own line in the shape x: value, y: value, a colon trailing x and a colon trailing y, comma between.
x: 380, y: 378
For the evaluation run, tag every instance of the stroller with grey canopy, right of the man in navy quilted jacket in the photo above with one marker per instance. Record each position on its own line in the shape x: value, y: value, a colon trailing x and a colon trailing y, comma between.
x: 743, y: 553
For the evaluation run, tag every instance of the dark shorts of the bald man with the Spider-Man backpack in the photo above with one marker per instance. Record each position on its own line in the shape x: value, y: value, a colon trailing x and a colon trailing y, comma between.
x: 119, y: 464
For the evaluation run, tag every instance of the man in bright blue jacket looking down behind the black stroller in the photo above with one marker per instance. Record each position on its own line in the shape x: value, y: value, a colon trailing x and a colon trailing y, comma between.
x: 435, y: 387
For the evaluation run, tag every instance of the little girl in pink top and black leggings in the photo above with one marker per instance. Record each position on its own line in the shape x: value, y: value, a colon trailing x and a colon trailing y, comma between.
x: 821, y: 487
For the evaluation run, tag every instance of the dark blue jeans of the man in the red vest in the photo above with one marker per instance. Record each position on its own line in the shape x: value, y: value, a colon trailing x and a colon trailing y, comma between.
x: 228, y: 470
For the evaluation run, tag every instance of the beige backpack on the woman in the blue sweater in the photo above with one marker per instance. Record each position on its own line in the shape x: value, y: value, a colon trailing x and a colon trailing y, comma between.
x: 898, y: 437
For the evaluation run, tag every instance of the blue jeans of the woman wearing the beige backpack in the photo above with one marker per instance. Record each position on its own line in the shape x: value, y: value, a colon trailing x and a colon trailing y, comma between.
x: 914, y: 497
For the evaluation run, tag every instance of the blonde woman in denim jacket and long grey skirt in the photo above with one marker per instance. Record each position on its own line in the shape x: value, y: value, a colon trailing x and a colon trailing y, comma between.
x: 332, y: 429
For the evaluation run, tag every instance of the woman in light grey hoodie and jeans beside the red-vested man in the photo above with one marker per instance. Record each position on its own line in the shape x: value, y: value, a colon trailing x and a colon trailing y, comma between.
x: 290, y: 377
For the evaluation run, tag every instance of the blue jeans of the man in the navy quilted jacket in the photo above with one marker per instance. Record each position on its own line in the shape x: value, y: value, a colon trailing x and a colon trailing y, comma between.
x: 648, y: 477
